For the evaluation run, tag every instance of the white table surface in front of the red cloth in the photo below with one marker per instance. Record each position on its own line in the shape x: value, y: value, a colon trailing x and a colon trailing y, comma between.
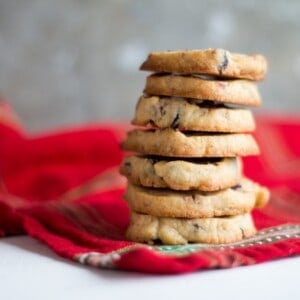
x: 29, y: 270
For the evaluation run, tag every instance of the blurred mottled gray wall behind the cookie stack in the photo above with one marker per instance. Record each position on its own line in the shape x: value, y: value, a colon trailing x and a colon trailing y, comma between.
x: 65, y: 62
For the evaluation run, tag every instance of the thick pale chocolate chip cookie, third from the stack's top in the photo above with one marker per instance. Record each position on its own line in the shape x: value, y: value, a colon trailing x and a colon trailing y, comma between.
x: 184, y: 114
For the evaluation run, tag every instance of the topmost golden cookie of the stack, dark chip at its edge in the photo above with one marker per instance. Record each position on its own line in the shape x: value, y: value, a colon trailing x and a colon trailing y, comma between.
x: 217, y: 62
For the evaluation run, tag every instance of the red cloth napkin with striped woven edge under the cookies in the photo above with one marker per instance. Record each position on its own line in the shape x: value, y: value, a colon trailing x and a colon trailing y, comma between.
x: 64, y: 189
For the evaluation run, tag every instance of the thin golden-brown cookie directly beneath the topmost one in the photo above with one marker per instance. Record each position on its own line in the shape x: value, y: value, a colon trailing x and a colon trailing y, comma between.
x: 228, y: 91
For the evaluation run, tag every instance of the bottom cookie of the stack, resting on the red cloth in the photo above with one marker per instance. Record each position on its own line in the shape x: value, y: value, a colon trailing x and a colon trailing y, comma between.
x: 175, y: 231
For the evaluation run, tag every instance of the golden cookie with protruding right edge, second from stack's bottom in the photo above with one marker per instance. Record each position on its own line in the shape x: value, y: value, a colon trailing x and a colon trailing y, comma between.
x: 196, y: 204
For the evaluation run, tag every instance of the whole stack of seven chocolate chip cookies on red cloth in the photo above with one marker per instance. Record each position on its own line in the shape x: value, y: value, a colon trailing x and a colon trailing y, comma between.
x: 186, y: 182
